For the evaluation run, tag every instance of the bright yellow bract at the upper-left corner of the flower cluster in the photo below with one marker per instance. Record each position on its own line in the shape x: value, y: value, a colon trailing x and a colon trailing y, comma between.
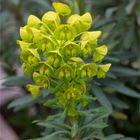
x: 33, y: 21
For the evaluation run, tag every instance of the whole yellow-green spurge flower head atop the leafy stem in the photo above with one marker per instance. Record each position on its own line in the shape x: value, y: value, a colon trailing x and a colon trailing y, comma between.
x: 55, y: 53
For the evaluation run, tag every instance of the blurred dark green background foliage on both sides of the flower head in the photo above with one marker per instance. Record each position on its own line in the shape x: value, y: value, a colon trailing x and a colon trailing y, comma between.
x: 119, y: 20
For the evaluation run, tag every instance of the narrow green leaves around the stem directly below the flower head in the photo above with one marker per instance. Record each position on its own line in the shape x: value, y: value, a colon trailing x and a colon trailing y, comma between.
x: 89, y: 125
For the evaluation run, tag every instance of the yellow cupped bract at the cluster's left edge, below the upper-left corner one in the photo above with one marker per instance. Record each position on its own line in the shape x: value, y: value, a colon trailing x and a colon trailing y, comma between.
x: 26, y: 34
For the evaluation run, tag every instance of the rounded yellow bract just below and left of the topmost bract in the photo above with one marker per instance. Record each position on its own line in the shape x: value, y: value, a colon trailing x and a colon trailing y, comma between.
x: 51, y: 19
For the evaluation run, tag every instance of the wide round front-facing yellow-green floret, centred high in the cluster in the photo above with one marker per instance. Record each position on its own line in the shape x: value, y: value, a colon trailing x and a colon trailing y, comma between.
x: 65, y: 32
